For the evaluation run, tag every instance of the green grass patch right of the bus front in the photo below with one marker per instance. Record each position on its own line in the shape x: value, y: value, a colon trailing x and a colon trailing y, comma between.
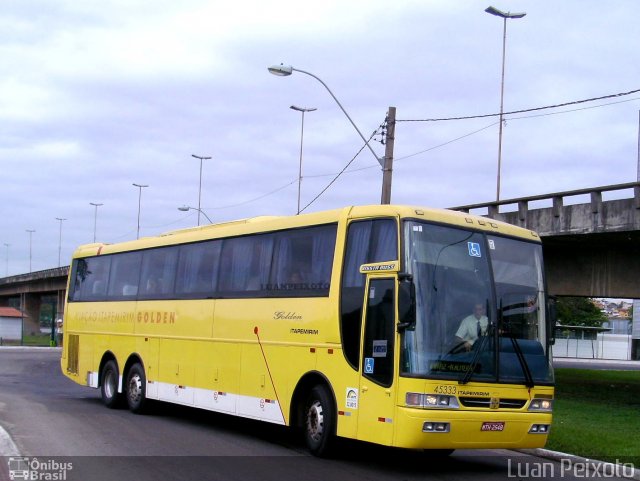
x: 597, y: 415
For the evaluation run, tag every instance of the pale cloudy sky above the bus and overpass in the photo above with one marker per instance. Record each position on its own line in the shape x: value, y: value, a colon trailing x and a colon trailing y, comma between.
x: 98, y: 95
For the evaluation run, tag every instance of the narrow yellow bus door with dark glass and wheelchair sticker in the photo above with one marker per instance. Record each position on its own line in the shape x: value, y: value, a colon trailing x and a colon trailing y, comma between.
x: 376, y: 403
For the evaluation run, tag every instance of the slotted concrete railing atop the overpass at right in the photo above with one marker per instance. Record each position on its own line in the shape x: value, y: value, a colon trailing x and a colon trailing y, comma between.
x: 557, y: 199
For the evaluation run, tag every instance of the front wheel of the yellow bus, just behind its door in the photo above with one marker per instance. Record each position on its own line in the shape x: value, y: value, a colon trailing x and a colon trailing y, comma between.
x: 319, y: 421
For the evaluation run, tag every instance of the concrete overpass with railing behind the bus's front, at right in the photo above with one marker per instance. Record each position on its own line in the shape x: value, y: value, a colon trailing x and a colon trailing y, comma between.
x: 592, y: 249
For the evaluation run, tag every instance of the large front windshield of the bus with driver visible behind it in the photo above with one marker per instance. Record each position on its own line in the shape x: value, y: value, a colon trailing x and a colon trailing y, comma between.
x: 480, y: 307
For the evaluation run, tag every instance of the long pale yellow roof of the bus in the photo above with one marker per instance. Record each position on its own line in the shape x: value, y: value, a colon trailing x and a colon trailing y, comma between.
x: 273, y: 223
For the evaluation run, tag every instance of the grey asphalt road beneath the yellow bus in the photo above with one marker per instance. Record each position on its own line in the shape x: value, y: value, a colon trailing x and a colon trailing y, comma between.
x: 66, y: 427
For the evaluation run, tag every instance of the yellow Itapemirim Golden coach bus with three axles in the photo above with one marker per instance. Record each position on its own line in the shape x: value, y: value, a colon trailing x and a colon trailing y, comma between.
x: 403, y: 326
